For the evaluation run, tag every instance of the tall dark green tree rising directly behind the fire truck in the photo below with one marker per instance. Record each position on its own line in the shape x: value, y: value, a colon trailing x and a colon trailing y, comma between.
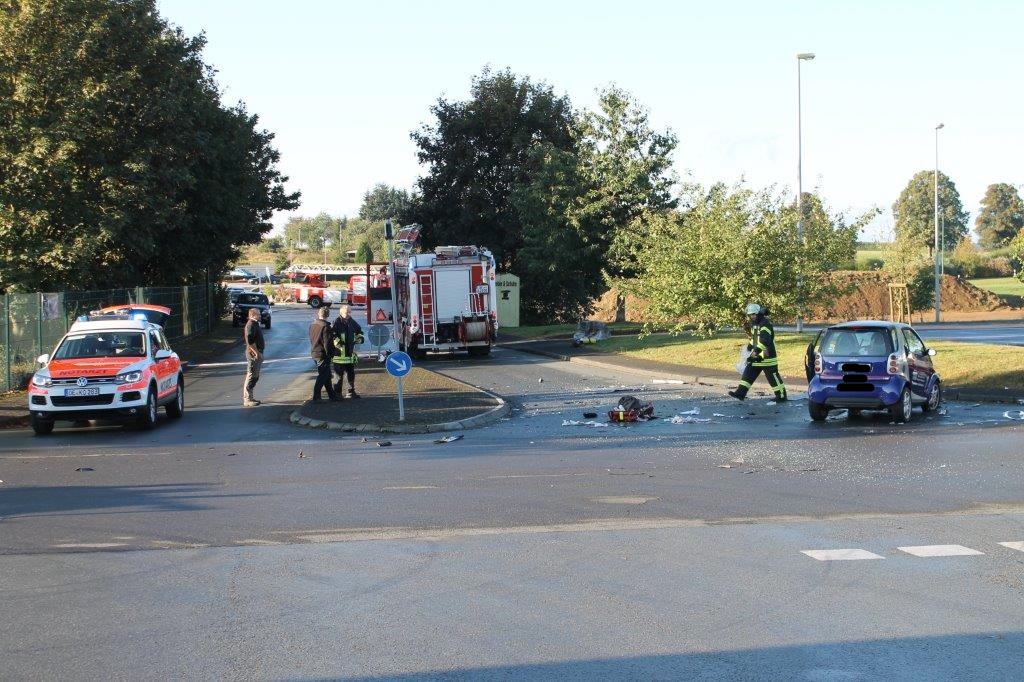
x: 479, y: 155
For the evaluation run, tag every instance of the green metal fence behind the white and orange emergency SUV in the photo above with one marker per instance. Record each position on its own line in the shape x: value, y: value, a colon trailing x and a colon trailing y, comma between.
x: 33, y: 324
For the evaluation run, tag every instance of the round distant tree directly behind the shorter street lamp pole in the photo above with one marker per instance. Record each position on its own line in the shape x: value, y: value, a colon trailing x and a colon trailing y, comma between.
x: 914, y: 211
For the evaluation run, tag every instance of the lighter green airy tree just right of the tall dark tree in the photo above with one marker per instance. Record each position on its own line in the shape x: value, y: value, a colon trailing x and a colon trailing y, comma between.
x: 629, y: 168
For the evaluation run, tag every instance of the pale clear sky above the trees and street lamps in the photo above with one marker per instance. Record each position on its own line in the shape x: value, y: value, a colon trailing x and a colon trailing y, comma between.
x: 343, y: 84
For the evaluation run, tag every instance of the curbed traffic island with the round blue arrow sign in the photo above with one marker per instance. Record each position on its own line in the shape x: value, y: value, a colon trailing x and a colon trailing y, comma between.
x: 434, y: 403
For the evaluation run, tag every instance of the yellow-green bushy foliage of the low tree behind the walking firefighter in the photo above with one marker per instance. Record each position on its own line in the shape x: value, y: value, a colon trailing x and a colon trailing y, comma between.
x: 734, y: 246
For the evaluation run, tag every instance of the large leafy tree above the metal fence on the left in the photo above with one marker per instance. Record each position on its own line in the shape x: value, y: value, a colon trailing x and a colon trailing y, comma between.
x: 120, y: 166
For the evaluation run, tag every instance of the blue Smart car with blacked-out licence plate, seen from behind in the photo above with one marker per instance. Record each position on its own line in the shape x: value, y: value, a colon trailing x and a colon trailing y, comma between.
x: 871, y: 365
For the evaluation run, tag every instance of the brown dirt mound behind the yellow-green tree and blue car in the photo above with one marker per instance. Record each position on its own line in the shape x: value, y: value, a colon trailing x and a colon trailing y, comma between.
x: 867, y: 299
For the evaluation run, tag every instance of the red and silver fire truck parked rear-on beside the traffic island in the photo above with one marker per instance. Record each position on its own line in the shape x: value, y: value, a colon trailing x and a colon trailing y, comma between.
x: 447, y: 300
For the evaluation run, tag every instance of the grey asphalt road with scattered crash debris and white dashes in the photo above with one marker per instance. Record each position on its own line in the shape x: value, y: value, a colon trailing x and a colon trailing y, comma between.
x: 209, y: 548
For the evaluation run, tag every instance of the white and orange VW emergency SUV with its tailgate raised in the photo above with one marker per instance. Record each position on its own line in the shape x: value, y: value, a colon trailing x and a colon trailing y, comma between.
x: 114, y: 365
